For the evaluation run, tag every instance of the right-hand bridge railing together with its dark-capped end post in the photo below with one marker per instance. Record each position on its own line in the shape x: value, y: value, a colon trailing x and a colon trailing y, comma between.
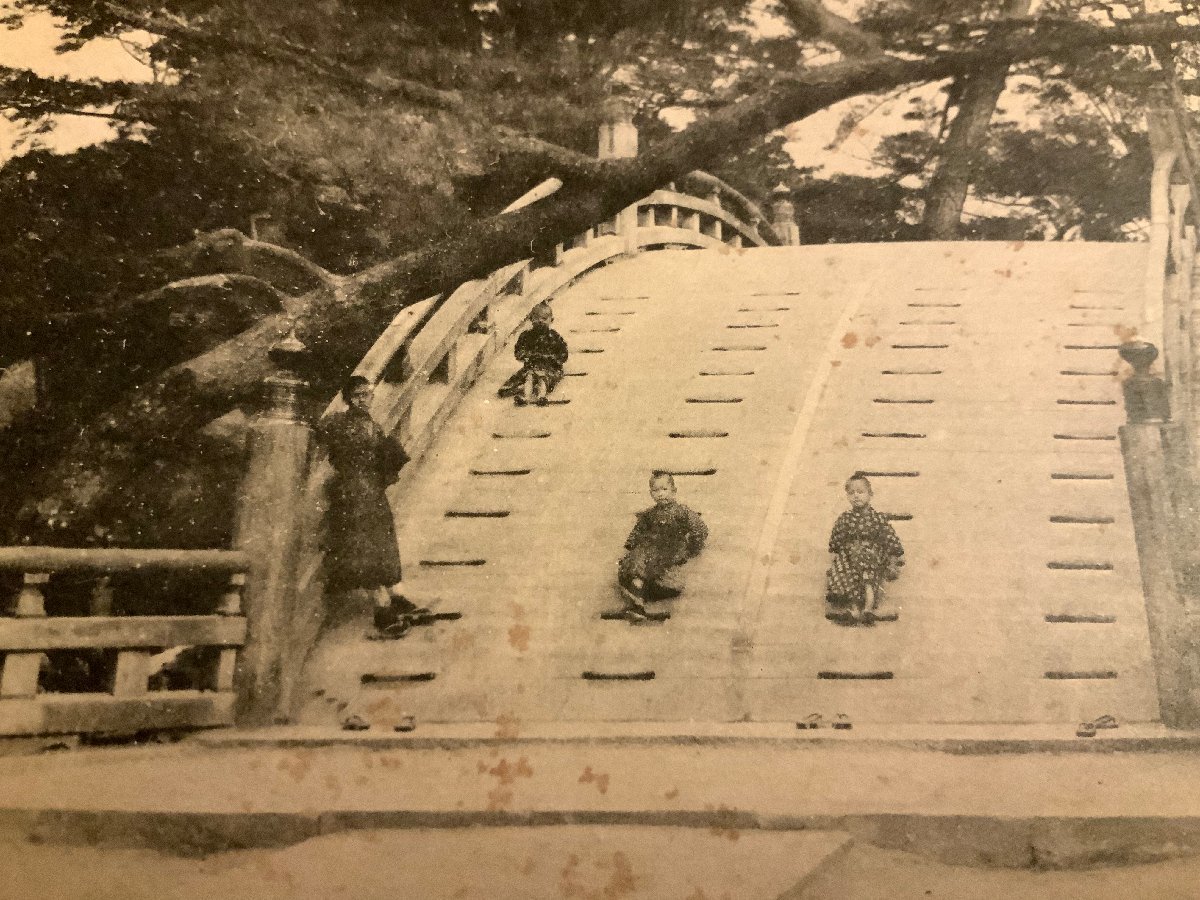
x: 1160, y: 440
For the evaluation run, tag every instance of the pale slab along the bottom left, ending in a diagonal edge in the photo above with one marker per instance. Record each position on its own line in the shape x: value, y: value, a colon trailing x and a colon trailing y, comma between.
x: 459, y: 865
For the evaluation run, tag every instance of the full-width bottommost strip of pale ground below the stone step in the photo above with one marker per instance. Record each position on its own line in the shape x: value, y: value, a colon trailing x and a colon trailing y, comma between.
x: 566, y: 862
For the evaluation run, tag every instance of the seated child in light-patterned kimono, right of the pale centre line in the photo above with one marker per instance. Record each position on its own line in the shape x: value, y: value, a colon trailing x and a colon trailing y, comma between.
x: 866, y: 551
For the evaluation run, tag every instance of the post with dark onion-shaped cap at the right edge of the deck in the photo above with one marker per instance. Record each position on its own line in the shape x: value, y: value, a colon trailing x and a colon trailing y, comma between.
x: 1155, y: 517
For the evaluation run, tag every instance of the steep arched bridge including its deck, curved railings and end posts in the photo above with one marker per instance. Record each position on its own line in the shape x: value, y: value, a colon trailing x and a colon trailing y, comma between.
x: 977, y: 383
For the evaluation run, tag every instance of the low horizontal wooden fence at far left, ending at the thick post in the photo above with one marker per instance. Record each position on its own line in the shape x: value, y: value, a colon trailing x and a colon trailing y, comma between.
x: 118, y: 695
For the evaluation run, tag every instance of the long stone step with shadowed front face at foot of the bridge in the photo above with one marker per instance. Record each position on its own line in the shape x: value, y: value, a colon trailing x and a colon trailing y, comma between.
x: 958, y: 805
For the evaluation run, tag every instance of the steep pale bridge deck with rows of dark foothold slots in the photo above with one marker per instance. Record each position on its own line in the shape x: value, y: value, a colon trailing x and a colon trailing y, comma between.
x: 976, y: 382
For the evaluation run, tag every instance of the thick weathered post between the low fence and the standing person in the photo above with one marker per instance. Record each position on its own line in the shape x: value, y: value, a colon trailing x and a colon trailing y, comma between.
x: 269, y: 513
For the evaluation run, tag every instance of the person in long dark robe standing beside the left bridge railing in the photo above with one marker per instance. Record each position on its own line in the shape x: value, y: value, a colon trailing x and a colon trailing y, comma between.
x: 361, y: 535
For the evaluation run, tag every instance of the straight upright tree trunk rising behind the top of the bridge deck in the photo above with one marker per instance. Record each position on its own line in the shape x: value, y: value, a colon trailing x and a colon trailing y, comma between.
x: 957, y: 160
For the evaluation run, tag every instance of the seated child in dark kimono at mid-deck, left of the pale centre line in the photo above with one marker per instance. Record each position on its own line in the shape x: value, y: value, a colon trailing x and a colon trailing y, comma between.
x: 665, y: 536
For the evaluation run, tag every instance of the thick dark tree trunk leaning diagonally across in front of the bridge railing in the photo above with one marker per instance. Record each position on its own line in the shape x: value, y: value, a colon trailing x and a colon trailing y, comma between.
x: 343, y: 321
